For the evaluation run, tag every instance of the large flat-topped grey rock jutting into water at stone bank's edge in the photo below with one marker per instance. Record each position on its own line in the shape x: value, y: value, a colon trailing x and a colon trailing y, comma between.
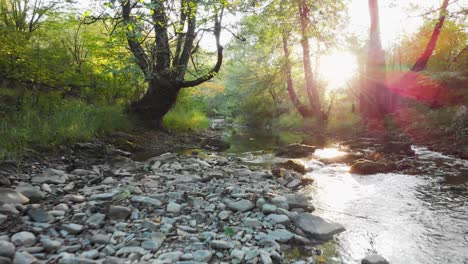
x: 317, y: 227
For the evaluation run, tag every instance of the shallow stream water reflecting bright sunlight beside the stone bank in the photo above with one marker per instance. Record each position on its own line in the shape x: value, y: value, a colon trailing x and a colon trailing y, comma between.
x: 408, y: 219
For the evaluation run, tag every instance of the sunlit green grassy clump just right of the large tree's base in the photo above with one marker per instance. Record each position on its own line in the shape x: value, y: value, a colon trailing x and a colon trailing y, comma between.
x: 189, y: 113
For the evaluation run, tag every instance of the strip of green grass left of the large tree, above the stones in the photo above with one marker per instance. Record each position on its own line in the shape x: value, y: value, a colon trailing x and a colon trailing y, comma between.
x: 71, y: 121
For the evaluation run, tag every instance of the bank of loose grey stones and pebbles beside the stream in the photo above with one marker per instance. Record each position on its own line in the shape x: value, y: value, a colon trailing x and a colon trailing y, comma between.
x: 167, y: 209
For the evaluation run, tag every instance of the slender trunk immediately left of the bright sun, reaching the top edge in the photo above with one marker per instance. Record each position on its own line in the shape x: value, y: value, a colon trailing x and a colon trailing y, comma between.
x: 310, y: 85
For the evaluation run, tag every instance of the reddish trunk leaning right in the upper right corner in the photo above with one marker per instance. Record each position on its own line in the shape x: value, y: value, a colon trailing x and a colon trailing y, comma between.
x: 422, y: 61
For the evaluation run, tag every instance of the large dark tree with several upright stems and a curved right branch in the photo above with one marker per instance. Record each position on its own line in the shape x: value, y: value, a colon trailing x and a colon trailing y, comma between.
x: 164, y: 36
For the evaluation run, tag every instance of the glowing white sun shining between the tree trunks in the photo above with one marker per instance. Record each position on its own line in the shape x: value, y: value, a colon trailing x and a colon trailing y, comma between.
x: 337, y: 68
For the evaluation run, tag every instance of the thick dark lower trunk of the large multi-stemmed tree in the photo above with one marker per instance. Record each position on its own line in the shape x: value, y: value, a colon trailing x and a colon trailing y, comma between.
x: 157, y: 101
